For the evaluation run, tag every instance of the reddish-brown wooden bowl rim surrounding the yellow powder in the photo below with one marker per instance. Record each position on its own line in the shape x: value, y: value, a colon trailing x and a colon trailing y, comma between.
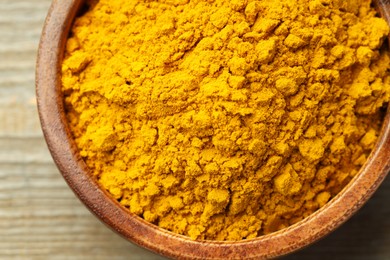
x: 137, y: 230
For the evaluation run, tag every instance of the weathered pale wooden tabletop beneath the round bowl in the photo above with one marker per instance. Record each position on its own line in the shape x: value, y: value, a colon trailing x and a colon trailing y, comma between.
x: 40, y: 218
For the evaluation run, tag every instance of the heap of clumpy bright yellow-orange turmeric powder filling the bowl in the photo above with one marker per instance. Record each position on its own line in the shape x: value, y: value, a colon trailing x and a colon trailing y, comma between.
x: 225, y: 120
